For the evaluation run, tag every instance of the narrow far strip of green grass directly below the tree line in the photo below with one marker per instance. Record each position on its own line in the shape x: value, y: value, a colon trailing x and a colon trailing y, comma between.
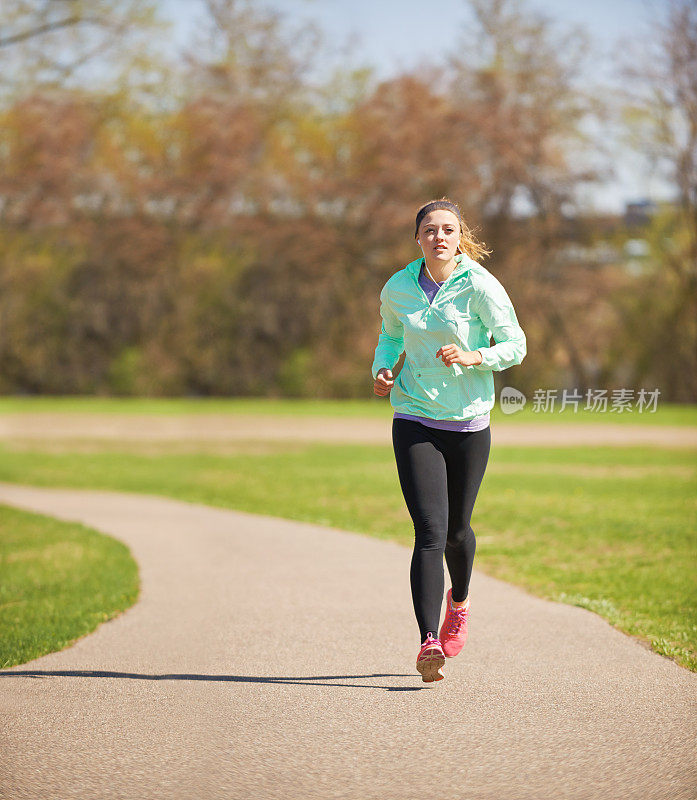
x: 375, y: 408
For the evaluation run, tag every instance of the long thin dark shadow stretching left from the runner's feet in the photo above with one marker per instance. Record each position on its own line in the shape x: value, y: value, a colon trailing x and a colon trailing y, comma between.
x: 310, y: 680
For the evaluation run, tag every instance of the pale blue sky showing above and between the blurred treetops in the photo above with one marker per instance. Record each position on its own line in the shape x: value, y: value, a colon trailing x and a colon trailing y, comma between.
x: 395, y: 35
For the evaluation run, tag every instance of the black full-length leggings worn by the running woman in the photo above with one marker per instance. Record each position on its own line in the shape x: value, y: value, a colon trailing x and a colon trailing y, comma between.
x: 440, y: 473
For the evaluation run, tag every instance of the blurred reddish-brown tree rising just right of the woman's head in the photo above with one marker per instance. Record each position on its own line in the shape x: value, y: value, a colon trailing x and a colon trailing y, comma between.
x: 515, y: 84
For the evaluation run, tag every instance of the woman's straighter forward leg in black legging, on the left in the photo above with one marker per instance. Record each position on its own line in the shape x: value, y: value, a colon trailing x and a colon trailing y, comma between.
x: 422, y: 476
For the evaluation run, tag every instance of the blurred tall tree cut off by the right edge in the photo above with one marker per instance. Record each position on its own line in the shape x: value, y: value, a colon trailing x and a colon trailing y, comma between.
x: 659, y: 325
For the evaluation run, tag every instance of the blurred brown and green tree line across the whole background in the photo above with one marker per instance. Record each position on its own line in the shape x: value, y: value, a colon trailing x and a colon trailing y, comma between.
x: 220, y: 221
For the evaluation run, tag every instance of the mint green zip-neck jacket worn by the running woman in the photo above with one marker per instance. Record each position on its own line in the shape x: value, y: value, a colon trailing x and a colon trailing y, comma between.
x: 470, y: 308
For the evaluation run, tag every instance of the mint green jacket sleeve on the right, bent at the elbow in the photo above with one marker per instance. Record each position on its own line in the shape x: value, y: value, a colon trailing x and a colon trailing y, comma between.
x: 496, y: 311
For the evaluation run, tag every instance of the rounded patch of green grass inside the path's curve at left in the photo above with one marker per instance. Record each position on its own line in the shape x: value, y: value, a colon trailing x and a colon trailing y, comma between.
x: 58, y: 581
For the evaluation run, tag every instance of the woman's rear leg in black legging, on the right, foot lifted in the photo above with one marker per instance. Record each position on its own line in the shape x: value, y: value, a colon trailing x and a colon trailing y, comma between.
x: 466, y: 460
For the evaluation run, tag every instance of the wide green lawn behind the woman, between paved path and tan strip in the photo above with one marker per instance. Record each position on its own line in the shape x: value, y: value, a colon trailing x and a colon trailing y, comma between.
x: 611, y: 529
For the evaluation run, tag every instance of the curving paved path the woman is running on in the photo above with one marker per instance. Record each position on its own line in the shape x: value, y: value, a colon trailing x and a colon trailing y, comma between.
x: 273, y: 659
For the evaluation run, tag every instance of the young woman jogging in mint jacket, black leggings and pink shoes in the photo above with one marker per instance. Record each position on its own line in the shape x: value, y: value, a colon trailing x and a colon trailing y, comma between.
x: 442, y: 310
